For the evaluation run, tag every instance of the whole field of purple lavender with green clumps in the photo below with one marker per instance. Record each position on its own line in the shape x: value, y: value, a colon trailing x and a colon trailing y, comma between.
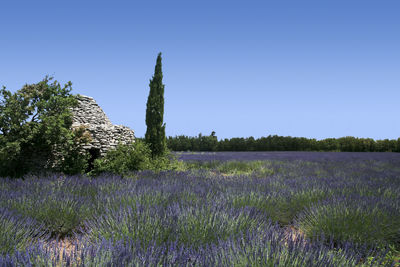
x: 224, y: 209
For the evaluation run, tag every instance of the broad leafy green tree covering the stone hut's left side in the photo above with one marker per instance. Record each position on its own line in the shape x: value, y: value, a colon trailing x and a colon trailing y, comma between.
x: 35, y: 130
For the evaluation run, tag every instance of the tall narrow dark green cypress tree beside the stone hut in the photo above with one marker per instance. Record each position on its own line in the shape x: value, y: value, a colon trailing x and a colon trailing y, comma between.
x: 155, y: 133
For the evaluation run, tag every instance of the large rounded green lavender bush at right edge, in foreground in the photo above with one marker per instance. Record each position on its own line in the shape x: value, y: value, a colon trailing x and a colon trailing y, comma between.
x: 360, y: 219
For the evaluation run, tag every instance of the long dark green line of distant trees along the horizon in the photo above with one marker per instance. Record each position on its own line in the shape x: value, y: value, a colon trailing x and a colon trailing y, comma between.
x: 281, y: 143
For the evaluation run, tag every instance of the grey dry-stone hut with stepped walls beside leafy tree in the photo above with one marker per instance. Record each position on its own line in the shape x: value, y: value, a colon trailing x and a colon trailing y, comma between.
x: 105, y: 135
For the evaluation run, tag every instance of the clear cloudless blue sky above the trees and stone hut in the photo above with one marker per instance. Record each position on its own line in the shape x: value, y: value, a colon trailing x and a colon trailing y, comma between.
x: 315, y: 69
